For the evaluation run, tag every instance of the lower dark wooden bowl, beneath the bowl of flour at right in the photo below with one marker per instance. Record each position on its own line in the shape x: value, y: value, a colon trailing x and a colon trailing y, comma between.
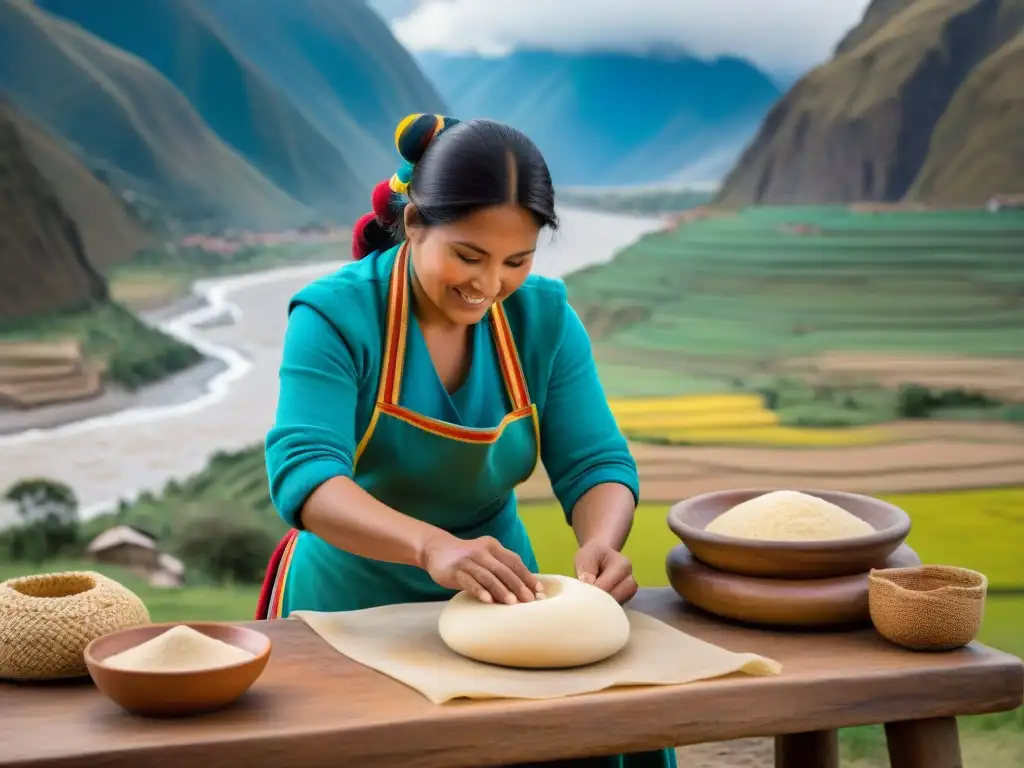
x: 777, y: 603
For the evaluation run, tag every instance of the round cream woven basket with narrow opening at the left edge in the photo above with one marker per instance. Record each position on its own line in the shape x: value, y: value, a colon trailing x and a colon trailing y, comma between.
x: 47, y: 622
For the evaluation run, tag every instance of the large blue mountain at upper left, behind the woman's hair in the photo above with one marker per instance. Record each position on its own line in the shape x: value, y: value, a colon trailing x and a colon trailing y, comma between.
x: 310, y: 93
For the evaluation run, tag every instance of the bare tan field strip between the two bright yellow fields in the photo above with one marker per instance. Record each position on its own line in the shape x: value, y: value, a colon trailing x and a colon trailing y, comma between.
x: 936, y: 457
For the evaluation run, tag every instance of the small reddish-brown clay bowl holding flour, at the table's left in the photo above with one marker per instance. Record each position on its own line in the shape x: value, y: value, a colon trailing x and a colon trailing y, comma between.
x: 177, y: 694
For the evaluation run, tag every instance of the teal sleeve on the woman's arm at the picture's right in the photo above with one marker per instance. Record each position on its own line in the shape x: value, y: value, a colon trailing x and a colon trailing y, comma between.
x: 581, y: 444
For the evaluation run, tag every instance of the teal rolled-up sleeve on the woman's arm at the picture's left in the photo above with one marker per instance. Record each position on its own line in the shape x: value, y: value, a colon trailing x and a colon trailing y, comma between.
x: 314, y: 436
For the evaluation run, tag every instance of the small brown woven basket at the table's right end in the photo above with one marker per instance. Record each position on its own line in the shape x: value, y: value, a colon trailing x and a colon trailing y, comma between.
x: 930, y: 608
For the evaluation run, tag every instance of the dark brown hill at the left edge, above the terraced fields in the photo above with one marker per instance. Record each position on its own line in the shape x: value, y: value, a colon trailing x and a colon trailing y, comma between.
x: 39, y: 242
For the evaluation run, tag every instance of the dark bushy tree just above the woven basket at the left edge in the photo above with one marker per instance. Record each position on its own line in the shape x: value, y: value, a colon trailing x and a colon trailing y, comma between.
x: 49, y: 511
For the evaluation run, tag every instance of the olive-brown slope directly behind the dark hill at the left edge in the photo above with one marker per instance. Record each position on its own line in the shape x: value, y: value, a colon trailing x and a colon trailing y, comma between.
x: 110, y: 233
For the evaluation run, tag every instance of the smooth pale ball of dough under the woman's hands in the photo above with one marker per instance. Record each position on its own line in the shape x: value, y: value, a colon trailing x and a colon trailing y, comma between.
x: 575, y: 624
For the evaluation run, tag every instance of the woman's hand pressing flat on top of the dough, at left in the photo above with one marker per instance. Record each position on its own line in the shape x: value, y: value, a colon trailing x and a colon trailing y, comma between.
x: 482, y: 567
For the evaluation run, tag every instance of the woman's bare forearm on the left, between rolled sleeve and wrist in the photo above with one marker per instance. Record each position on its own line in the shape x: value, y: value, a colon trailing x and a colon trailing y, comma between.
x: 348, y: 518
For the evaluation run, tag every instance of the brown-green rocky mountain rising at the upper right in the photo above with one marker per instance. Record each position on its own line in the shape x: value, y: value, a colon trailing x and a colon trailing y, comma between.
x: 923, y: 102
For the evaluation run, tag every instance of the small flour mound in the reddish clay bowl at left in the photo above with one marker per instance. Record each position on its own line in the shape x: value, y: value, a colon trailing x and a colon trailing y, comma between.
x: 180, y: 650
